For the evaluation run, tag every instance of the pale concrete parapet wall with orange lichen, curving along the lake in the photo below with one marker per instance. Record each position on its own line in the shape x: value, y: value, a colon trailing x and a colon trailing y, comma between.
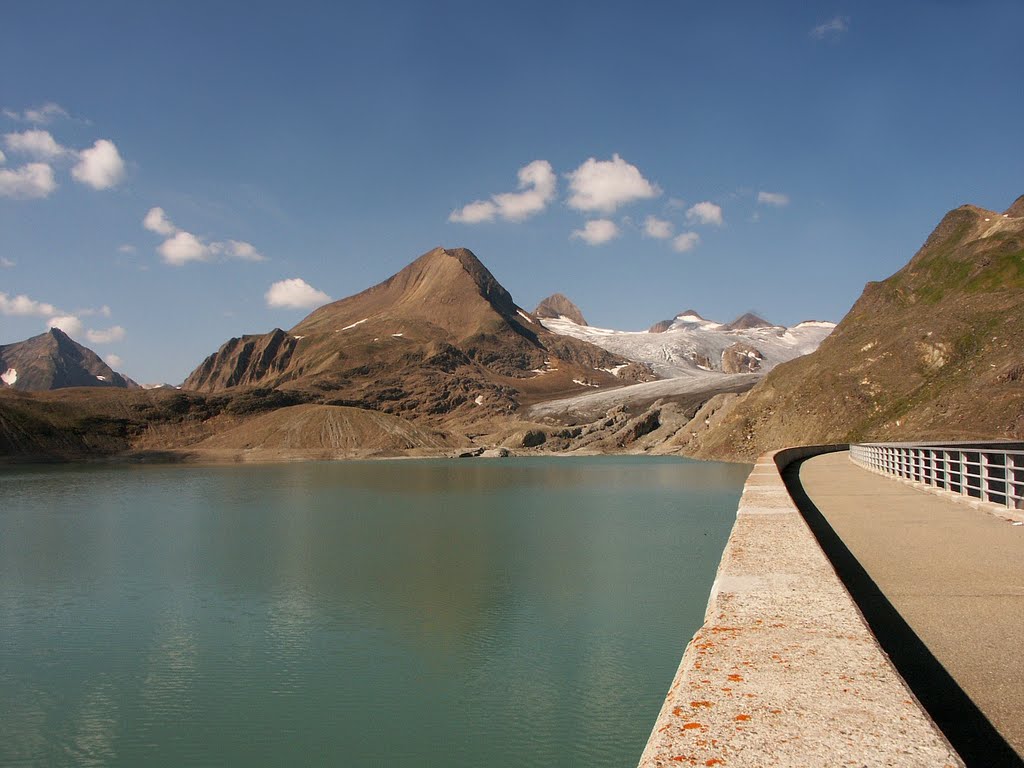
x: 785, y: 671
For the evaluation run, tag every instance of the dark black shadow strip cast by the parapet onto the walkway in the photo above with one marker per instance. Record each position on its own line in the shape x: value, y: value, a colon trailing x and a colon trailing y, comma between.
x: 965, y: 727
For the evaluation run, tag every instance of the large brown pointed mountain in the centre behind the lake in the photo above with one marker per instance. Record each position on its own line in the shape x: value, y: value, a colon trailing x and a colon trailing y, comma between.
x: 439, y: 338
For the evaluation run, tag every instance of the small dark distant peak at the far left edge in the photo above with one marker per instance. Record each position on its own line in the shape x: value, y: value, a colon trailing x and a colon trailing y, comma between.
x: 55, y: 361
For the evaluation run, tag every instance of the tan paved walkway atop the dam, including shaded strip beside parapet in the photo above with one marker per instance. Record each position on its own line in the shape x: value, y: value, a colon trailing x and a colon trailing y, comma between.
x: 955, y: 575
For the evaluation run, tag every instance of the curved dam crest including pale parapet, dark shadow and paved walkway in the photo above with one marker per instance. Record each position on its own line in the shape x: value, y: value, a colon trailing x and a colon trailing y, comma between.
x: 856, y: 620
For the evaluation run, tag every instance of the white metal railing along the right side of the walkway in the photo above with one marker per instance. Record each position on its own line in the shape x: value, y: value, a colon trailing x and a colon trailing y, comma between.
x: 990, y: 473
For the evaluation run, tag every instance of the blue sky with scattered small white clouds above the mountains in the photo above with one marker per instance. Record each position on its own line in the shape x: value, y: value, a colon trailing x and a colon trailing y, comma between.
x: 177, y: 175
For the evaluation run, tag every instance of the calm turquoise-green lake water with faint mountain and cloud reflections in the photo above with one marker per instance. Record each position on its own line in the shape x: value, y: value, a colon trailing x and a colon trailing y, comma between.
x: 505, y: 613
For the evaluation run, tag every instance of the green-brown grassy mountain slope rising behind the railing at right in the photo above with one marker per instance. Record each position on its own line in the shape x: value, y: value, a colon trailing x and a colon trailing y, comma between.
x: 931, y: 354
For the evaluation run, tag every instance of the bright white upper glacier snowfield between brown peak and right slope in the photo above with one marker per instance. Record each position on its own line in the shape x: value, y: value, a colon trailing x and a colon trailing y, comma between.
x: 690, y: 344
